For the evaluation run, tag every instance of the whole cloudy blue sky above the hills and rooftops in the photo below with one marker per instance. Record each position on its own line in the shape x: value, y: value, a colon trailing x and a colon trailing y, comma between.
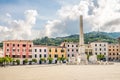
x: 31, y: 19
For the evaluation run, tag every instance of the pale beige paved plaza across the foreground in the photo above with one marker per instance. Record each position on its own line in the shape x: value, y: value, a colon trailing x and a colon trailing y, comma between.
x: 61, y: 72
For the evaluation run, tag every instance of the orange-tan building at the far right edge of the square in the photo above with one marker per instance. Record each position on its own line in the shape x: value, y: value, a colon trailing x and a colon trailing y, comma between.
x: 113, y: 52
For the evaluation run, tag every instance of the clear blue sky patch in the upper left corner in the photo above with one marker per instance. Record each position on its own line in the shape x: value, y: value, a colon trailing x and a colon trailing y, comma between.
x: 45, y: 8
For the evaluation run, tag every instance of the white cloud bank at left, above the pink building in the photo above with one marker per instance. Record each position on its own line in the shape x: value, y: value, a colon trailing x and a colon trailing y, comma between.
x: 19, y: 29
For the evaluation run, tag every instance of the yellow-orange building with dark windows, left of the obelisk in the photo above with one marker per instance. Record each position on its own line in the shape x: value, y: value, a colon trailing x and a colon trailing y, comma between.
x: 56, y: 51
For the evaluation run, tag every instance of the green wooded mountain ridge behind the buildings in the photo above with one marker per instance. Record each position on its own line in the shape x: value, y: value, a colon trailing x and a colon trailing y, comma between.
x: 88, y: 37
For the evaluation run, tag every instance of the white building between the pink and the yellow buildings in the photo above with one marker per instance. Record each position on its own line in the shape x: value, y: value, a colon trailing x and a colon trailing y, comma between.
x: 39, y: 51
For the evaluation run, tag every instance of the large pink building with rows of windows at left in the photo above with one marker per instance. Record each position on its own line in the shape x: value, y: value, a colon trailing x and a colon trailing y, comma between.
x: 18, y: 48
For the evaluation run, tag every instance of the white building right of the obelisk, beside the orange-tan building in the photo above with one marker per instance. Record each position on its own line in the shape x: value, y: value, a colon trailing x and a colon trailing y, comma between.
x: 100, y: 48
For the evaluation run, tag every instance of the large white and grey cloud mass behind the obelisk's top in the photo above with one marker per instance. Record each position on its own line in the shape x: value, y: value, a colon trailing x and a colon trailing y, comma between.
x: 97, y: 15
